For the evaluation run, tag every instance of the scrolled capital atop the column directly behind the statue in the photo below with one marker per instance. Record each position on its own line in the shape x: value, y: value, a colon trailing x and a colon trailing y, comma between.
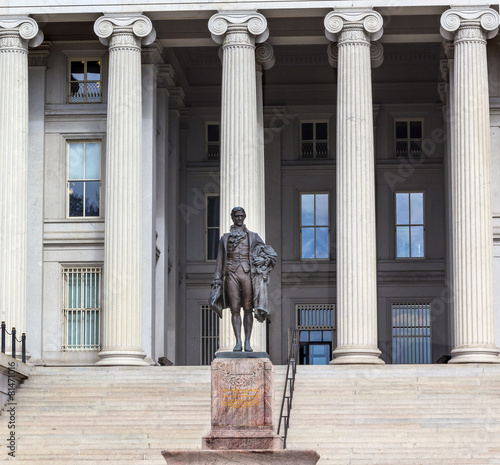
x: 254, y: 22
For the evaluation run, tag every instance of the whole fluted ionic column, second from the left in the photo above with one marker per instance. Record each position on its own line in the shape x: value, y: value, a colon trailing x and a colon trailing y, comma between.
x: 123, y: 250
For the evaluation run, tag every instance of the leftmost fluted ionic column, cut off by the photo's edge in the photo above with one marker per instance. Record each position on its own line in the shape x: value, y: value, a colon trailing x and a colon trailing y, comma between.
x: 16, y: 33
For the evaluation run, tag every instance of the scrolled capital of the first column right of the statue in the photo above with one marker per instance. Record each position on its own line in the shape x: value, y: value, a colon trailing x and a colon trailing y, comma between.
x: 369, y: 21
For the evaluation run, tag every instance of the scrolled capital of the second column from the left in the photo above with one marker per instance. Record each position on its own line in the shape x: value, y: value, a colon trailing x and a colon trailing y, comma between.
x: 138, y: 24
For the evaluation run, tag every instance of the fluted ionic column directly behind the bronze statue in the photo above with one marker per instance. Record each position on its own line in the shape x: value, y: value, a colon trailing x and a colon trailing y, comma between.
x: 241, y: 181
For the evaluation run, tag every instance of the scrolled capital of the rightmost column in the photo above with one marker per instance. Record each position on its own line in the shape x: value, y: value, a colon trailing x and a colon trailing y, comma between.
x: 457, y: 18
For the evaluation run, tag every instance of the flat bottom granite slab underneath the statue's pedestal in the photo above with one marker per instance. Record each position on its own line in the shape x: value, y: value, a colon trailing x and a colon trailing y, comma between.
x: 247, y: 457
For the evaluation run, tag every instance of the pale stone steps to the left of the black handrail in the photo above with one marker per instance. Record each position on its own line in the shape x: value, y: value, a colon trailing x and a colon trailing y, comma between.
x: 112, y: 416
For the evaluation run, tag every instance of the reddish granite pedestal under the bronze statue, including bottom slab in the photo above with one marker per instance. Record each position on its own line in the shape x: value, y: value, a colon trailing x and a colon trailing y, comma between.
x: 242, y: 419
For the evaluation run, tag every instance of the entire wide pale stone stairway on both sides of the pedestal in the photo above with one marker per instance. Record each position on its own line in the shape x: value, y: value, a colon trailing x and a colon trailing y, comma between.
x: 391, y: 415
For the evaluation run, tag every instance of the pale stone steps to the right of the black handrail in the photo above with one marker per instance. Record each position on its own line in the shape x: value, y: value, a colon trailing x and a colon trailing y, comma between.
x: 398, y: 414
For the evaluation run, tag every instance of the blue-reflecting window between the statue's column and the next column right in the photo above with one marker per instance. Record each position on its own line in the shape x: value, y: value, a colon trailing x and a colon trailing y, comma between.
x: 315, y: 241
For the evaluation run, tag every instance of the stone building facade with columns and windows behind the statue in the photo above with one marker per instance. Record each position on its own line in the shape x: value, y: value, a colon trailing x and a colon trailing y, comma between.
x: 363, y: 142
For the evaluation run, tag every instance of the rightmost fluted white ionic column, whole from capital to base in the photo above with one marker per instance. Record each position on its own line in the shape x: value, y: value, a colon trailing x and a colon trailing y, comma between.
x: 474, y: 324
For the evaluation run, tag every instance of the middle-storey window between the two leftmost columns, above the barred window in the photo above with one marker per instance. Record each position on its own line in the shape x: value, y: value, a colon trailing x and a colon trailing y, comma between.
x: 84, y: 179
